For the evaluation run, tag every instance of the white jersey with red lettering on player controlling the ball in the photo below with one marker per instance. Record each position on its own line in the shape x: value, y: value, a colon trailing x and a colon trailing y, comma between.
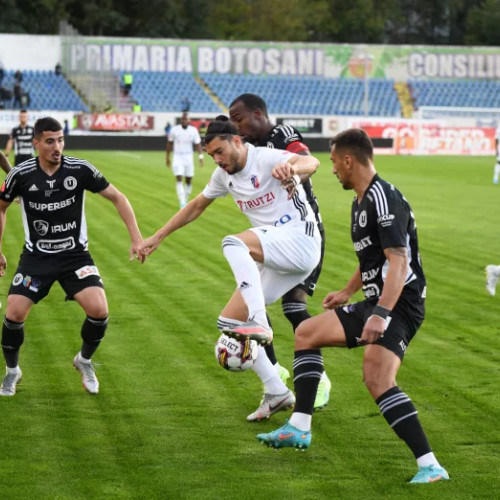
x: 259, y: 195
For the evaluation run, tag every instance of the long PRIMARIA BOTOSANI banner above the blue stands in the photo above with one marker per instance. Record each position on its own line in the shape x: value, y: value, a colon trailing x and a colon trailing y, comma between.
x: 200, y: 57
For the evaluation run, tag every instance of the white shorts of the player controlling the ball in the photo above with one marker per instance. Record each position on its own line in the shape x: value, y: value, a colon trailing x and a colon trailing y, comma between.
x: 290, y: 255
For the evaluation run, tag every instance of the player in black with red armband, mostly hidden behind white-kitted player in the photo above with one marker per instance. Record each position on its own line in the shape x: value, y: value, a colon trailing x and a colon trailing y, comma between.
x: 249, y: 113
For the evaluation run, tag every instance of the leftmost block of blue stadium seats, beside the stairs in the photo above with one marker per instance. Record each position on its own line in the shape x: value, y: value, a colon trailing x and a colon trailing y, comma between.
x: 46, y: 90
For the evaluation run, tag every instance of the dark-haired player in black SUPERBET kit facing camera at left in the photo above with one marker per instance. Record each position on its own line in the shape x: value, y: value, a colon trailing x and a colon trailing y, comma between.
x: 51, y: 189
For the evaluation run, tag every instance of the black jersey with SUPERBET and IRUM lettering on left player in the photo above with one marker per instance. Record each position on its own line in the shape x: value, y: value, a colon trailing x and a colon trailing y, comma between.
x: 53, y: 209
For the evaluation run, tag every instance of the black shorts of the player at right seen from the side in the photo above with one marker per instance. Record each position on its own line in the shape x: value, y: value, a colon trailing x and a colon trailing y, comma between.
x: 405, y: 320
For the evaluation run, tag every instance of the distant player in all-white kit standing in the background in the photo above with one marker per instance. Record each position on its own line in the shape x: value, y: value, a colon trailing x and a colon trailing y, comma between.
x: 181, y: 139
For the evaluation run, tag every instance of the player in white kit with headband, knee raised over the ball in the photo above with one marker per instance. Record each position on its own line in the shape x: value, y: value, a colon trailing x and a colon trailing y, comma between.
x: 278, y: 252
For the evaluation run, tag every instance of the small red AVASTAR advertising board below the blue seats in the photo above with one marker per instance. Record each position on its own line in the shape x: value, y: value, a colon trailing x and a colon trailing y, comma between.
x: 115, y: 122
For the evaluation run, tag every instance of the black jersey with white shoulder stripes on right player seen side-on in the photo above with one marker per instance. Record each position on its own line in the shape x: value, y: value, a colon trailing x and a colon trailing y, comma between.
x: 384, y: 219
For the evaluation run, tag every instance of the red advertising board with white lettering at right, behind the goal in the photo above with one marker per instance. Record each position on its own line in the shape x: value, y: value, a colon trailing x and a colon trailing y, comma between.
x: 430, y: 137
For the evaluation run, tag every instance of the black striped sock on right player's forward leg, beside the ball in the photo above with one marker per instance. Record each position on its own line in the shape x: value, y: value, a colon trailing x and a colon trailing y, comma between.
x: 307, y: 371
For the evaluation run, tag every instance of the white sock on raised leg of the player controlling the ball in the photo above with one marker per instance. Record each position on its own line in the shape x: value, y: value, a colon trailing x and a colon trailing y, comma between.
x: 247, y: 277
